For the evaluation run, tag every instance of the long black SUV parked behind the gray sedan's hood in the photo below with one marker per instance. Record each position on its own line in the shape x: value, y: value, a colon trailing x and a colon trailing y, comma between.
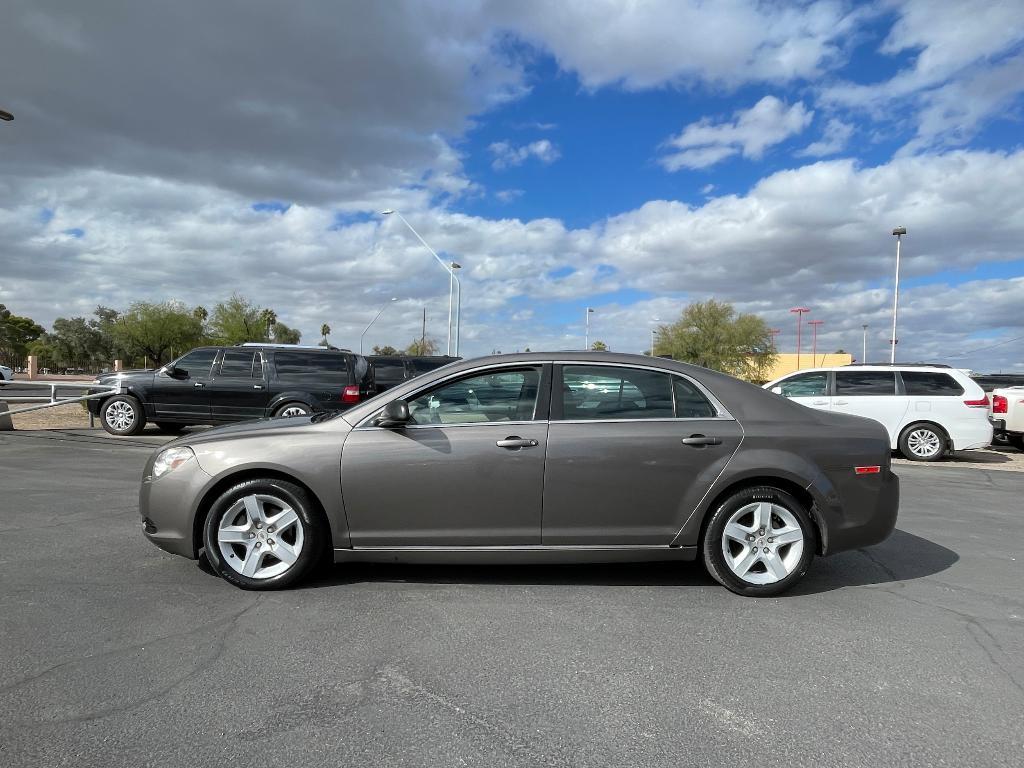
x: 219, y: 386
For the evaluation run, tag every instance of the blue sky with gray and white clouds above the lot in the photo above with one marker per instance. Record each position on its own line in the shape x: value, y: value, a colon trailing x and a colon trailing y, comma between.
x: 630, y: 157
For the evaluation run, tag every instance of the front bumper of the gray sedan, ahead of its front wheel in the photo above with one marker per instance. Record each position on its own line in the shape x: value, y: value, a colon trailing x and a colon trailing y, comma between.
x: 168, y: 507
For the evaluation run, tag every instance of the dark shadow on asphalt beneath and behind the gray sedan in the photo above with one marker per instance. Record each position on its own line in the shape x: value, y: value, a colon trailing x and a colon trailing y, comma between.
x: 903, y: 558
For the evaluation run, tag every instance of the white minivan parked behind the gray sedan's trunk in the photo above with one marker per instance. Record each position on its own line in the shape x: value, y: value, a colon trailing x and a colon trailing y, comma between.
x: 928, y: 410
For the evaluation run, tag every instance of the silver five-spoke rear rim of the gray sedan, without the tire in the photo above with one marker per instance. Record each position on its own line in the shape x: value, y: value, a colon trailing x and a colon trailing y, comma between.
x: 762, y: 543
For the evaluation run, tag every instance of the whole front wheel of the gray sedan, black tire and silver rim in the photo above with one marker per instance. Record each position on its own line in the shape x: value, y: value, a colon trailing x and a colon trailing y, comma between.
x: 245, y: 549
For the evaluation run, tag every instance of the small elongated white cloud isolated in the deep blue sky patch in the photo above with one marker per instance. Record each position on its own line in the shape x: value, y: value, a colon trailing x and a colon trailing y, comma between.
x: 704, y: 144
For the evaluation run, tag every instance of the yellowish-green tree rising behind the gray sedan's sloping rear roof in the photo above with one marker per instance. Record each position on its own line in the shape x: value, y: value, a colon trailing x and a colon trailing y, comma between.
x: 712, y: 335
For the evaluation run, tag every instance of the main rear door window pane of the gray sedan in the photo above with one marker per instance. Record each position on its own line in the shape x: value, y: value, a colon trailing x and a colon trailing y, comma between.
x: 613, y: 393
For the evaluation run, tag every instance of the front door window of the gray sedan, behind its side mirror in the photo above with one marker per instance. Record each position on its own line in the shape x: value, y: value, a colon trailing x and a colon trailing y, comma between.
x: 509, y: 396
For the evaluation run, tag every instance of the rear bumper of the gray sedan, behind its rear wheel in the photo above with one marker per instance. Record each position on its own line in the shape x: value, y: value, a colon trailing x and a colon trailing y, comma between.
x: 858, y: 510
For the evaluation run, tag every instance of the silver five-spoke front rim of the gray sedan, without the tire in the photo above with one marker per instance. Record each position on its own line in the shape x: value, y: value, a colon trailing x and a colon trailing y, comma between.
x: 261, y: 537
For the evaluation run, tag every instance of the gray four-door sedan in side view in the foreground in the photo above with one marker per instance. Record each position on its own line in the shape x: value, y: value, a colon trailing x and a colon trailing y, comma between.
x: 533, y: 458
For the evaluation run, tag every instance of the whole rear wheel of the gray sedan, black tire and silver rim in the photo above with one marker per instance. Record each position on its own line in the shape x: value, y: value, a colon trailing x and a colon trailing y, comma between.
x: 760, y: 567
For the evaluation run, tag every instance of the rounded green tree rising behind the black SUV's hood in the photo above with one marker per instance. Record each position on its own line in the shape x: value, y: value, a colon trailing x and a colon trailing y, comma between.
x: 156, y: 331
